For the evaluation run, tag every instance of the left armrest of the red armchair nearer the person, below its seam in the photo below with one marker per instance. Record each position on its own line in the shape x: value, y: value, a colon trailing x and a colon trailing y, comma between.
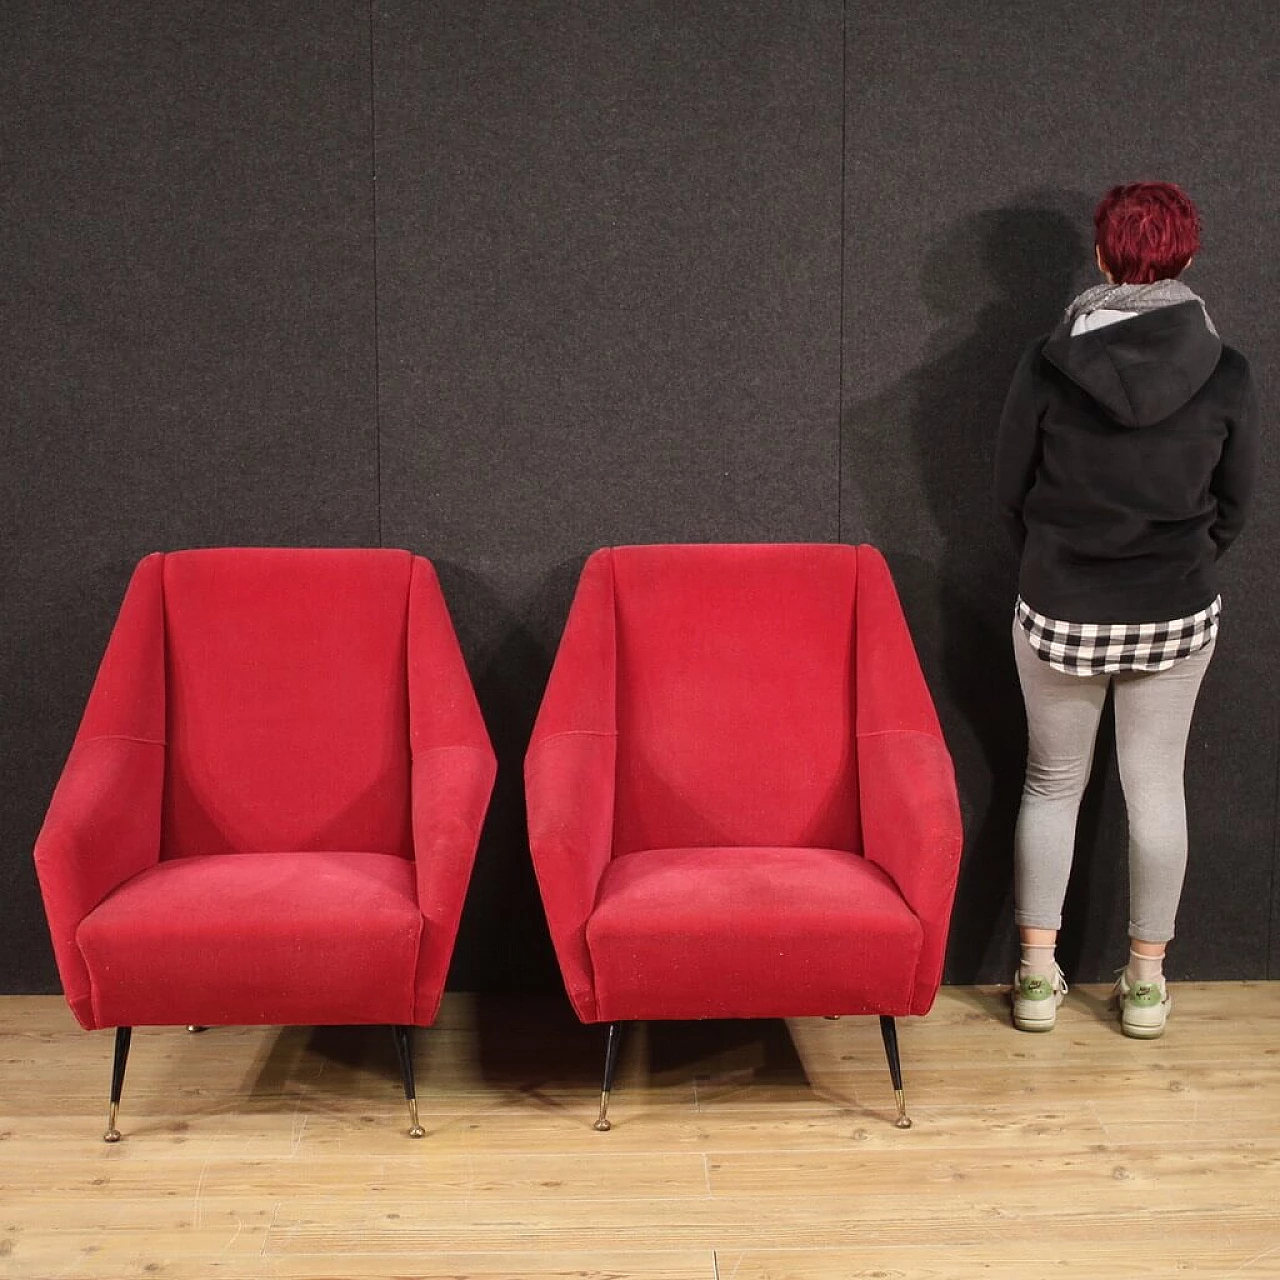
x: 570, y: 792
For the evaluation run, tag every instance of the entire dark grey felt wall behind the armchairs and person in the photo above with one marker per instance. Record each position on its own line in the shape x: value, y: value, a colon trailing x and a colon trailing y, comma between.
x: 609, y: 260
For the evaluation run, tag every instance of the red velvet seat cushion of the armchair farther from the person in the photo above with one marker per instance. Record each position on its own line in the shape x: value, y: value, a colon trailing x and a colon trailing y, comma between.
x: 276, y: 939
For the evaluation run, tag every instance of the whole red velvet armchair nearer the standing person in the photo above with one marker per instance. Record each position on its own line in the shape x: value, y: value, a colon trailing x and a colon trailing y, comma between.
x: 740, y: 804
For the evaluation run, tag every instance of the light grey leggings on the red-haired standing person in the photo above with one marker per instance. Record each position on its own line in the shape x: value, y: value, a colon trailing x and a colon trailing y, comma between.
x: 1154, y: 715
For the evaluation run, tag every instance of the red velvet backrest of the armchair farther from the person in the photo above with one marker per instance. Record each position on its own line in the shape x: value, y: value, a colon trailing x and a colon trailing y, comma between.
x: 286, y: 702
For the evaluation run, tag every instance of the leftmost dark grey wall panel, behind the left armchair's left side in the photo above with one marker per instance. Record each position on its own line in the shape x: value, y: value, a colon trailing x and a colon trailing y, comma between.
x: 189, y: 331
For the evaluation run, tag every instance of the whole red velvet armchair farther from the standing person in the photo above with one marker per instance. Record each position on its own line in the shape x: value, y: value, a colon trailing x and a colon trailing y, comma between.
x: 271, y: 811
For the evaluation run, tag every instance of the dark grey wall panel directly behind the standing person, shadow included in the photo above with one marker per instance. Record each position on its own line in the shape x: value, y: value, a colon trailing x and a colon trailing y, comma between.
x: 979, y: 140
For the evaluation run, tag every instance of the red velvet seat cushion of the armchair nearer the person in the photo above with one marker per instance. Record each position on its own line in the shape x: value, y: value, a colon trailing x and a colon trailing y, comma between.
x: 751, y: 932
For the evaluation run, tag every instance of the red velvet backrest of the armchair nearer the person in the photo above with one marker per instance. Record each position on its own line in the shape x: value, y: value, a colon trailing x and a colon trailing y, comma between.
x: 735, y: 701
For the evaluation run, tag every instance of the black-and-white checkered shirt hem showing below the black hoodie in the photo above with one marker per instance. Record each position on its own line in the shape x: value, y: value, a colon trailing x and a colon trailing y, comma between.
x: 1103, y: 648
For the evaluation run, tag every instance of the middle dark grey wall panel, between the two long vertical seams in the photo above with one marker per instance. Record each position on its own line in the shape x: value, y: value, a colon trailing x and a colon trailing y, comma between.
x: 609, y: 313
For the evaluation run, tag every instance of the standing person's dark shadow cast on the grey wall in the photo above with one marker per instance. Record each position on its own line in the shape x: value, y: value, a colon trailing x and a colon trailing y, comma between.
x: 993, y: 284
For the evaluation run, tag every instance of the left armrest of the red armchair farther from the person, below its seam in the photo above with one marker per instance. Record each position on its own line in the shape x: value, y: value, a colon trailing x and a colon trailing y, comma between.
x: 103, y: 828
